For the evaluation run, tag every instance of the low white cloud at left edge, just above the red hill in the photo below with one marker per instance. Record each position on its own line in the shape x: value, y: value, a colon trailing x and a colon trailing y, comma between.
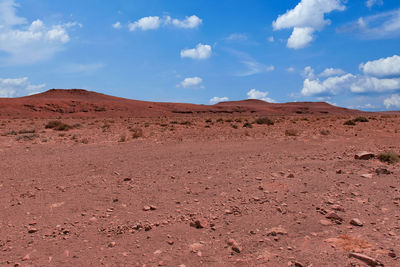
x: 18, y: 87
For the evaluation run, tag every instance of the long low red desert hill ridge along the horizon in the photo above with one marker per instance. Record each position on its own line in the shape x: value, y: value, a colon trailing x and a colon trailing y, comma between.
x: 78, y: 102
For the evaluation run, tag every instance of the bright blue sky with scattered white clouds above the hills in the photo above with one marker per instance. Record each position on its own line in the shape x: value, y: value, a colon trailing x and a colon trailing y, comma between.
x: 343, y: 52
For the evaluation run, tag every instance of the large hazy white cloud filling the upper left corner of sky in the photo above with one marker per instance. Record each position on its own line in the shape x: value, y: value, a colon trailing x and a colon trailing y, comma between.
x: 28, y: 43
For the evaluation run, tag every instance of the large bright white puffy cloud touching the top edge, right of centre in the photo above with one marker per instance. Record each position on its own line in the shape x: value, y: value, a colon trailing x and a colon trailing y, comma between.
x: 306, y: 18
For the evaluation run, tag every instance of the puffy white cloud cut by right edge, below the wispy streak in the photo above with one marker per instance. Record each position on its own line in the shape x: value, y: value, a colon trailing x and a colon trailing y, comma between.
x: 383, y: 67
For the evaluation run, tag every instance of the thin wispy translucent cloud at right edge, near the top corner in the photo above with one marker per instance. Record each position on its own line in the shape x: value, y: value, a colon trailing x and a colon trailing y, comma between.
x: 381, y: 26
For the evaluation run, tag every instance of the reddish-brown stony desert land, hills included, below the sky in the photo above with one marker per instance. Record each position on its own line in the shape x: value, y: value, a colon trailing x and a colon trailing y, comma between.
x: 195, y: 189
